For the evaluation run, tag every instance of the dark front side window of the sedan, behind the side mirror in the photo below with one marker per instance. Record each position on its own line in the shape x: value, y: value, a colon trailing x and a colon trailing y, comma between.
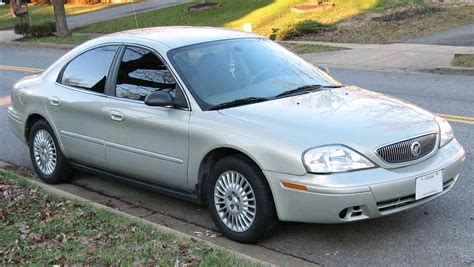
x: 141, y: 73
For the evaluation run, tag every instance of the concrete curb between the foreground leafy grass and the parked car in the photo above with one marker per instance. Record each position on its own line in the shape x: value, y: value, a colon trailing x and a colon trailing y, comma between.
x: 52, y: 190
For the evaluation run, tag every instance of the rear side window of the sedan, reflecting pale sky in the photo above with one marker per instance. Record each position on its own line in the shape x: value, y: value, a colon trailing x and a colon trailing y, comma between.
x: 89, y: 70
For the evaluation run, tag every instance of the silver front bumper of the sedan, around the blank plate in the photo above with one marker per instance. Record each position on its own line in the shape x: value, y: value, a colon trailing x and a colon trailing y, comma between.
x: 363, y: 194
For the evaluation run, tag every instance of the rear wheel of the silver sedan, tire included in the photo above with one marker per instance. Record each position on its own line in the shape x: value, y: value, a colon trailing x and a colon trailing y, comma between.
x: 42, y: 136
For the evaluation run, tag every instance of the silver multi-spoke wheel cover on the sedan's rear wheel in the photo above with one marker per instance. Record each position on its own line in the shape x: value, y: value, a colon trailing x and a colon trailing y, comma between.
x: 44, y: 152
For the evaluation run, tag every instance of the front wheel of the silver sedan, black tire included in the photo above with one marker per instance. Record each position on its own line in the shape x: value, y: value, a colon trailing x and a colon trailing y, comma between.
x: 264, y: 219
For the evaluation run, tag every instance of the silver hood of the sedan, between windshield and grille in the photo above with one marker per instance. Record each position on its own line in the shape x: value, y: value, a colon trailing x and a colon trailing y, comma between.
x: 361, y: 119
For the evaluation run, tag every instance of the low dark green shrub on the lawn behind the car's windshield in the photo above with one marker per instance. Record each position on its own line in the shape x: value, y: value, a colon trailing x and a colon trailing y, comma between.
x: 301, y: 28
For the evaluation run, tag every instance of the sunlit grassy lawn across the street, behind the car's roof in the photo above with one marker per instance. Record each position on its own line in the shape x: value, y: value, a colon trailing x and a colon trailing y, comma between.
x: 348, y: 21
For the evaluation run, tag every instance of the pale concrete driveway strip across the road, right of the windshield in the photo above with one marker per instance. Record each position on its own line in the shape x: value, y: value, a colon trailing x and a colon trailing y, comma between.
x: 388, y: 57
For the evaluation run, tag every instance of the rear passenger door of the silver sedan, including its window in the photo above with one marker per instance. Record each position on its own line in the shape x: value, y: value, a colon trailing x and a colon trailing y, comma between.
x: 76, y: 105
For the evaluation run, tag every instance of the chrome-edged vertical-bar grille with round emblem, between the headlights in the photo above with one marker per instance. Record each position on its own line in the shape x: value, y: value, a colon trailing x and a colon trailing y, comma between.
x: 402, y: 151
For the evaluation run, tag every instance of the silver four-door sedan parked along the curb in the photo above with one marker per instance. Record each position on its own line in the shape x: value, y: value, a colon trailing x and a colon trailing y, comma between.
x: 234, y: 121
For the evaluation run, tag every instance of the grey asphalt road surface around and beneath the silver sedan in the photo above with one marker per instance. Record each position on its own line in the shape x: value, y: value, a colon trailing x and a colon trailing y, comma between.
x: 438, y: 233
